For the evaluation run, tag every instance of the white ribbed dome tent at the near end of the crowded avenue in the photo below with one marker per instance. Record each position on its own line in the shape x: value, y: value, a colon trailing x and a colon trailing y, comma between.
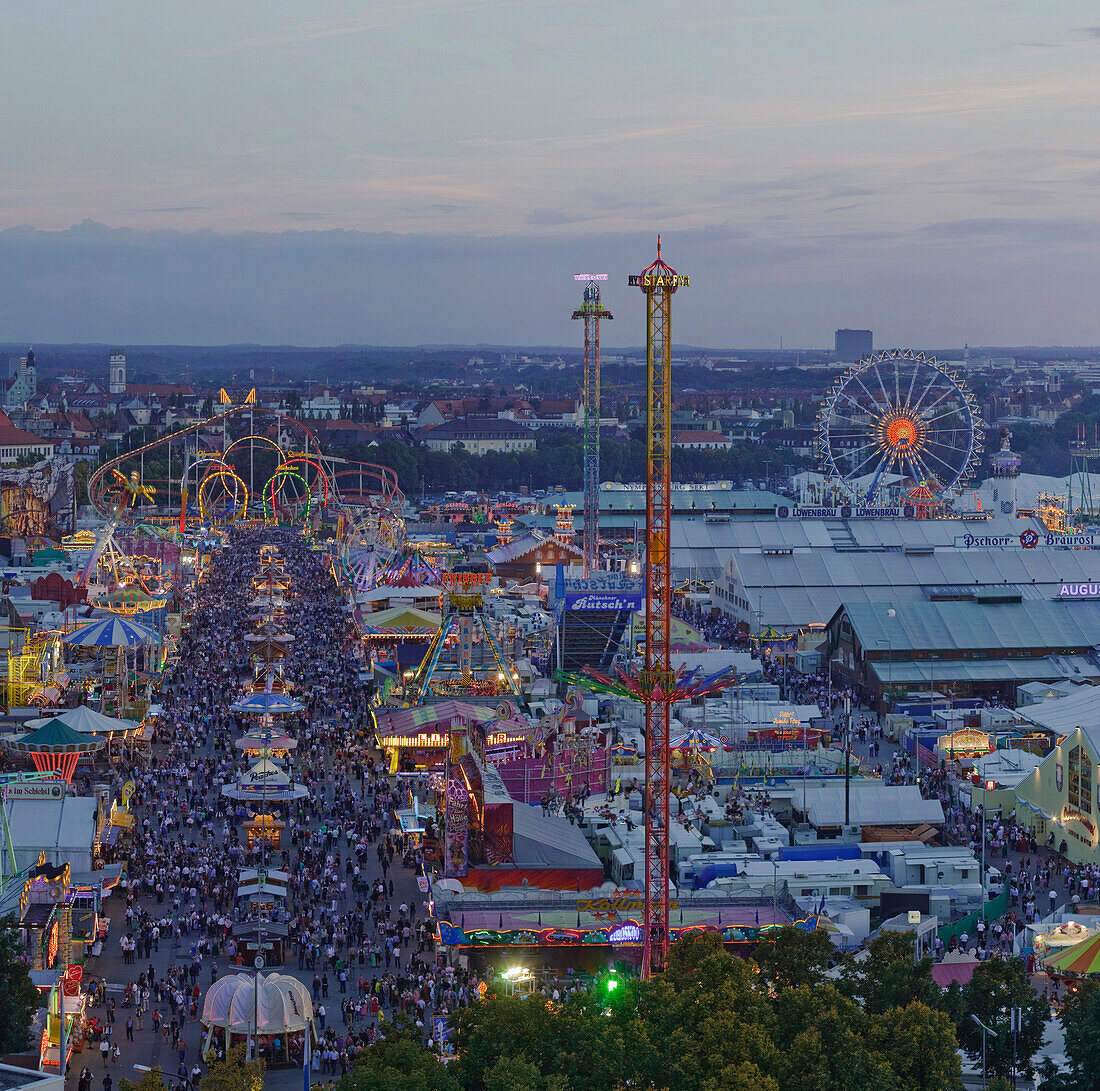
x: 287, y: 1015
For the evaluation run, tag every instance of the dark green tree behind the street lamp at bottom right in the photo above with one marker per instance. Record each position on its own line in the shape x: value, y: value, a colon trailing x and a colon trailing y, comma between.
x: 996, y: 988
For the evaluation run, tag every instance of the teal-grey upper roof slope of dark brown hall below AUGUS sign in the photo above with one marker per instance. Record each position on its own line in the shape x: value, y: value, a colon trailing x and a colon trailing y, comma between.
x: 948, y: 627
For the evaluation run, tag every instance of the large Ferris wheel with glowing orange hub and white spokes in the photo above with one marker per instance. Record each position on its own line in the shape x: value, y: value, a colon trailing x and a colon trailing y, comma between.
x: 899, y: 414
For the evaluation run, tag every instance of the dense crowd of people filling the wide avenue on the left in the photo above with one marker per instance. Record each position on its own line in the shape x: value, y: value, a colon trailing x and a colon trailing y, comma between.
x: 357, y: 932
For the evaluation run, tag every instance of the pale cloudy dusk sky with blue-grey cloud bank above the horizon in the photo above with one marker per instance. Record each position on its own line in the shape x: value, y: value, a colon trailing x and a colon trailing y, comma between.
x: 401, y: 172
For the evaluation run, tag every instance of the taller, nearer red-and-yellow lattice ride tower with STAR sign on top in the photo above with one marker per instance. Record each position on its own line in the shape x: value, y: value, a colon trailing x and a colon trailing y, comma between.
x: 659, y: 283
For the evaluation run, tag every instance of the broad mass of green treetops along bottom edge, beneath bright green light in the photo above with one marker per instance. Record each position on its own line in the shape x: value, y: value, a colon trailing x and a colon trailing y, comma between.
x: 711, y: 1022
